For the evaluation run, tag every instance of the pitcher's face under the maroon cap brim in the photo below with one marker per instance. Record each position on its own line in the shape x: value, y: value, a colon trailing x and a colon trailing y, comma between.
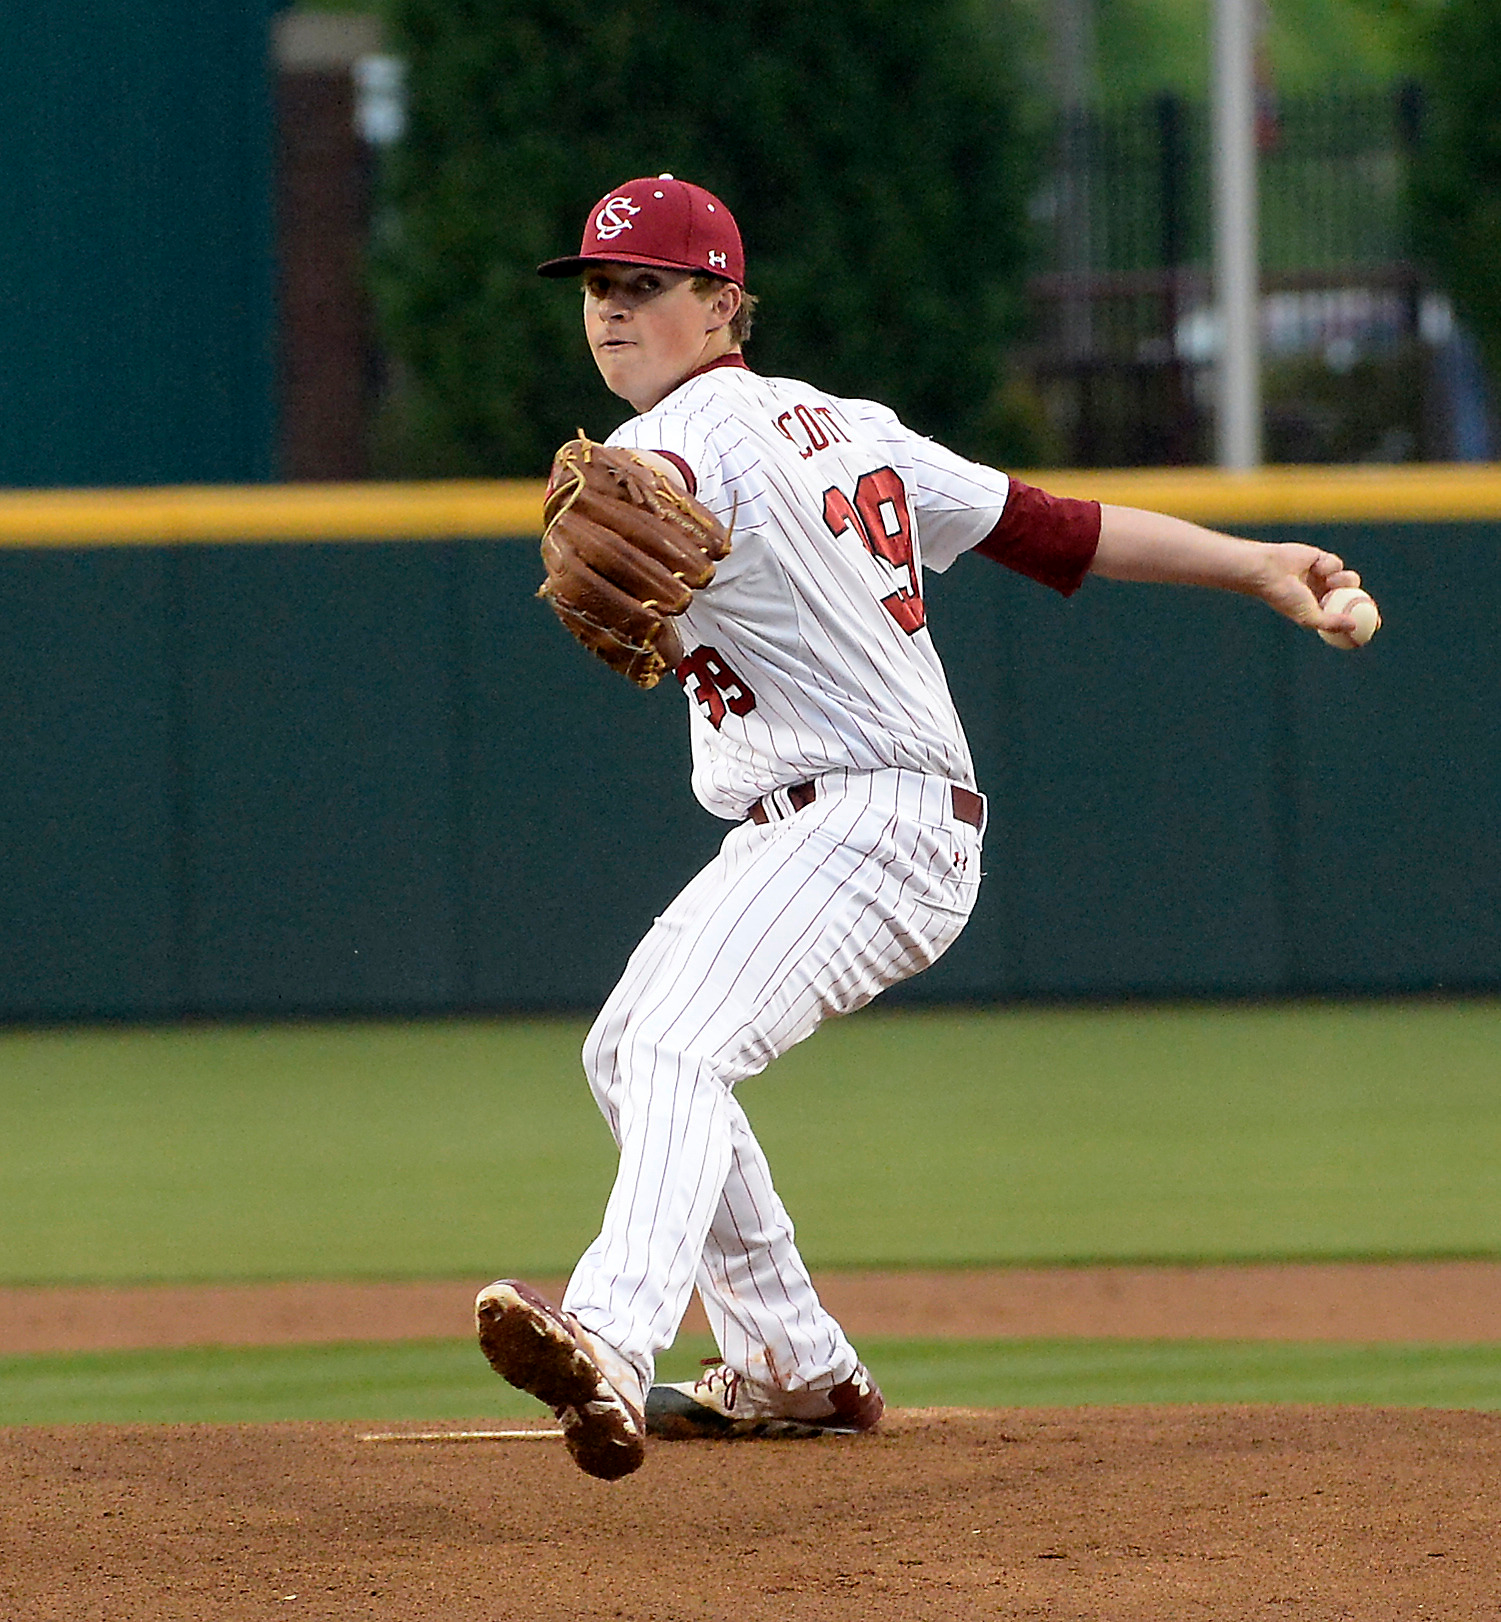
x: 648, y: 328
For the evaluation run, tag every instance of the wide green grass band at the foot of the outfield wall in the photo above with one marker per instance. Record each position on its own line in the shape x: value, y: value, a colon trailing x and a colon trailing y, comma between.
x: 471, y: 1149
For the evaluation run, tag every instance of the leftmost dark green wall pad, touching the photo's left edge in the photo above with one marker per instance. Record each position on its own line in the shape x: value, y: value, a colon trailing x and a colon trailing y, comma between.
x: 92, y: 796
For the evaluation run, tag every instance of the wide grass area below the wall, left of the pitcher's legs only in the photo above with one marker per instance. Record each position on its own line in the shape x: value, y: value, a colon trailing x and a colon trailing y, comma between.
x: 288, y: 1152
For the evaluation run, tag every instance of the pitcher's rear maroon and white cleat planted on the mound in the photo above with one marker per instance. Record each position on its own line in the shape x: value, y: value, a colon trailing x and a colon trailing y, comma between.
x: 726, y: 1405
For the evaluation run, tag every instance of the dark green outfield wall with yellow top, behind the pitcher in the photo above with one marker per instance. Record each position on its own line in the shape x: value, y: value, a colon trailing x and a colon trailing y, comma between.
x: 363, y: 773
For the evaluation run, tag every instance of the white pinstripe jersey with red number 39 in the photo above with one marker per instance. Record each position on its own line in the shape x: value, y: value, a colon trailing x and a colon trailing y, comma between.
x: 811, y: 653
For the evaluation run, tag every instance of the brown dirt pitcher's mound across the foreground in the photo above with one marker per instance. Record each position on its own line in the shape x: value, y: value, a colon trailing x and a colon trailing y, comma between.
x: 1067, y: 1514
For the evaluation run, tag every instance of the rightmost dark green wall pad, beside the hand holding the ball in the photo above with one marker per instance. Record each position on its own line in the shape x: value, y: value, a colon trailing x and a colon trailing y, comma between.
x: 1396, y: 773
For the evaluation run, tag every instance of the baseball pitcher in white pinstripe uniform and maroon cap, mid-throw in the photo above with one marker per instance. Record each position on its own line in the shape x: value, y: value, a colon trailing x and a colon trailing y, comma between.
x: 824, y: 731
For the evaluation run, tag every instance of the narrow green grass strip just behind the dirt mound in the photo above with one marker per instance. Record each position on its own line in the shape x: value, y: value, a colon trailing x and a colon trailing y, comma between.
x: 447, y: 1380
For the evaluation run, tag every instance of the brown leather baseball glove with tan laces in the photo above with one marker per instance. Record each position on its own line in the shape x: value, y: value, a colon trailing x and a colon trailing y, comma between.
x: 624, y: 549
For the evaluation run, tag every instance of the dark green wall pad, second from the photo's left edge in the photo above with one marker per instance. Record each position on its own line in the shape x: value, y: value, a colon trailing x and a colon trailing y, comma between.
x: 319, y: 778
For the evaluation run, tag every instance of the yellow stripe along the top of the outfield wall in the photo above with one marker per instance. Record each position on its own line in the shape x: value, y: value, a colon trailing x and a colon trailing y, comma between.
x: 476, y: 508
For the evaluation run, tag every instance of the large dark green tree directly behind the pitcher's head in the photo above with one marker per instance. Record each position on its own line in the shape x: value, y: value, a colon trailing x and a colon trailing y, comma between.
x: 877, y: 155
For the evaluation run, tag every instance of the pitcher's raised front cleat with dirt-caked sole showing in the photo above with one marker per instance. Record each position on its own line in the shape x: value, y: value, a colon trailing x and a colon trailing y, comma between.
x: 543, y: 1350
